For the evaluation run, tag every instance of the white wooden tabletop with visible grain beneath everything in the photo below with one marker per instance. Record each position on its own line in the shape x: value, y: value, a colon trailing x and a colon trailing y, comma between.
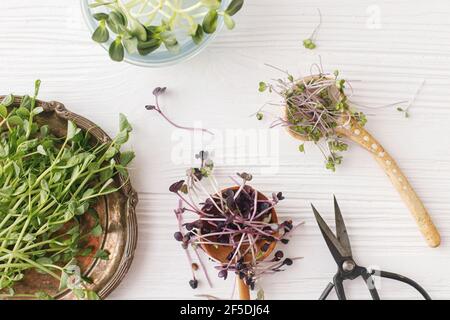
x: 386, y: 47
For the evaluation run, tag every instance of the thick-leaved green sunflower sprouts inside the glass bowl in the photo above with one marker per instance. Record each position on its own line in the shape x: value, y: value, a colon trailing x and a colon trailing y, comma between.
x: 143, y: 26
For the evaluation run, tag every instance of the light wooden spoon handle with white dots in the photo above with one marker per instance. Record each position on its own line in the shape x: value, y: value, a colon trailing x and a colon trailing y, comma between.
x: 359, y: 135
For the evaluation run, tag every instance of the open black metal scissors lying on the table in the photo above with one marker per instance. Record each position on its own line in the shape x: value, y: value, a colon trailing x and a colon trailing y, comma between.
x: 341, y: 251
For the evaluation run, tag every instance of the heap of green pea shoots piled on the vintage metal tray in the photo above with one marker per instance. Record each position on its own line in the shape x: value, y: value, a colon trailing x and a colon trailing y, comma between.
x: 48, y: 185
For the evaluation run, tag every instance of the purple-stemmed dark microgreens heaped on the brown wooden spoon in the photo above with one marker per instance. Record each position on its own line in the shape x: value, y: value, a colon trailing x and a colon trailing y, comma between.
x: 238, y: 218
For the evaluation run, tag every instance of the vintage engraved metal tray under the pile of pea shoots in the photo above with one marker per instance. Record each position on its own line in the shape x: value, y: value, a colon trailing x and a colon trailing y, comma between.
x: 117, y: 213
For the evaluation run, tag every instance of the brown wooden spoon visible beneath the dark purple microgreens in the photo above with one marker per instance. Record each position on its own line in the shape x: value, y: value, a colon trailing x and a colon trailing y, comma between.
x: 220, y: 253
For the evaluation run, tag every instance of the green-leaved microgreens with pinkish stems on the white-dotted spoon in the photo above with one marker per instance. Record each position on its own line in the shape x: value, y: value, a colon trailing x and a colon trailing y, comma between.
x: 314, y: 109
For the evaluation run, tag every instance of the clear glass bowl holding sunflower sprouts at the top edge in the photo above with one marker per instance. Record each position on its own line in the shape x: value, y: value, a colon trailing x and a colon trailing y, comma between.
x: 160, y: 57
